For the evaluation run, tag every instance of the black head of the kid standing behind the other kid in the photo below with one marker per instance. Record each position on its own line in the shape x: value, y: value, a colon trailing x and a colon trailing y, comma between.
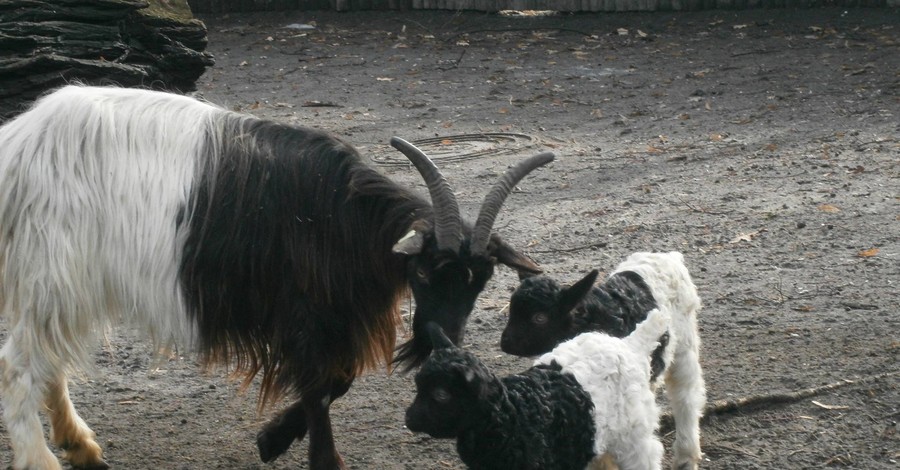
x: 541, y: 314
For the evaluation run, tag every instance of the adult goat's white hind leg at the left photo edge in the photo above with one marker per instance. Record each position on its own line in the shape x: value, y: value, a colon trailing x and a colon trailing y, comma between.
x: 20, y: 394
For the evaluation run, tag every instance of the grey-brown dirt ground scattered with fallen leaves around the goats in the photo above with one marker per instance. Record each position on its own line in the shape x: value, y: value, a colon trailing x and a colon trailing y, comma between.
x: 764, y: 145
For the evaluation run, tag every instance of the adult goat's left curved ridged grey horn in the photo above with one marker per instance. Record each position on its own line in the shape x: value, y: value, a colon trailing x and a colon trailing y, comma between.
x: 447, y: 223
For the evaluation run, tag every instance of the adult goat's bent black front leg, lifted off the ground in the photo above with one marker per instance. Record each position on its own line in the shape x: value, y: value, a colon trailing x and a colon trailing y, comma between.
x: 276, y: 436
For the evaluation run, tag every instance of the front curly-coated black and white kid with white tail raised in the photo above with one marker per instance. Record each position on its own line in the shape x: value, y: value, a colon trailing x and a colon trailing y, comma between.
x: 587, y: 401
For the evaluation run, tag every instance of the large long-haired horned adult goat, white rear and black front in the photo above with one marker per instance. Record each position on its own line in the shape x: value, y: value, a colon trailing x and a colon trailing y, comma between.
x: 273, y: 249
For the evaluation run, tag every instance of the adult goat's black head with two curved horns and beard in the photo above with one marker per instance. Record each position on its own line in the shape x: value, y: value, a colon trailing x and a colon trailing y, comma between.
x: 448, y: 261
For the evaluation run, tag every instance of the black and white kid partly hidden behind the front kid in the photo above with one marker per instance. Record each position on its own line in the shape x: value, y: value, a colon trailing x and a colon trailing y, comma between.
x: 542, y: 314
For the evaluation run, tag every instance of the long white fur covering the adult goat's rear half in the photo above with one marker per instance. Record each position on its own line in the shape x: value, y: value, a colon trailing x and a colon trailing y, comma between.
x: 85, y: 240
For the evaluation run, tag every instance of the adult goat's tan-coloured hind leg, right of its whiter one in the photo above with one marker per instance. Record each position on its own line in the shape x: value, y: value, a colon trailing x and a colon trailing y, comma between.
x: 69, y: 432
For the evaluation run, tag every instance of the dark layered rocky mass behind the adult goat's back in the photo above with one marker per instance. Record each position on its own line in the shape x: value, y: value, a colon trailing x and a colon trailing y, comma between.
x: 147, y: 43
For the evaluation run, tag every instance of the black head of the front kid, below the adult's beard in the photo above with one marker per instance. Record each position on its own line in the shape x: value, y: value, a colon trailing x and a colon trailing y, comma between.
x: 449, y: 387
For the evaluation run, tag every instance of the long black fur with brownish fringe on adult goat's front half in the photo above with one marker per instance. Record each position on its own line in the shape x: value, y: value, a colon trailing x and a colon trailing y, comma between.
x: 289, y: 241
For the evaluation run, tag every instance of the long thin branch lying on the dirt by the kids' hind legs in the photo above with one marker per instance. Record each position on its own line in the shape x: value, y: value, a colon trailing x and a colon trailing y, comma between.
x: 719, y: 407
